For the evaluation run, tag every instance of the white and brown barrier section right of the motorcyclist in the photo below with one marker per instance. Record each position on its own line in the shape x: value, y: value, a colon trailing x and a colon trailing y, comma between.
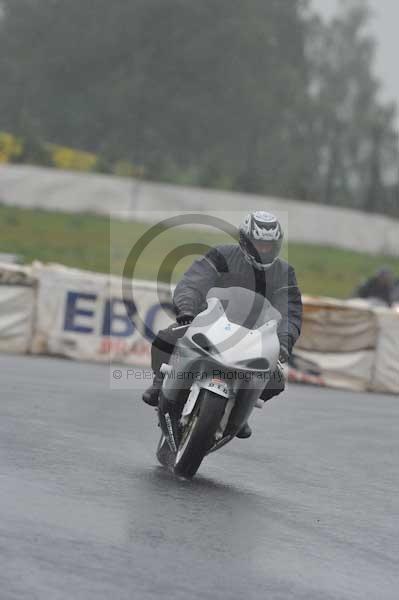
x: 349, y: 345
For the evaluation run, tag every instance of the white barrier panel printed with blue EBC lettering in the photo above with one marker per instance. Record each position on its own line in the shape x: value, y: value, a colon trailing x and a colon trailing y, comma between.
x: 84, y: 316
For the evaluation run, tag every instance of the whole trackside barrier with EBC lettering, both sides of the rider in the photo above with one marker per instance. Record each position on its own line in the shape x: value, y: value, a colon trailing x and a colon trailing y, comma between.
x: 51, y: 309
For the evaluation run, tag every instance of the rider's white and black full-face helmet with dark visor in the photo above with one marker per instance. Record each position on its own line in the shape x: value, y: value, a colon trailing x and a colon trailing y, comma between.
x: 261, y: 238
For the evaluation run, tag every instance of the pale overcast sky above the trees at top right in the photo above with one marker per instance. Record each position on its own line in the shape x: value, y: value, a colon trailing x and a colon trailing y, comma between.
x: 385, y: 27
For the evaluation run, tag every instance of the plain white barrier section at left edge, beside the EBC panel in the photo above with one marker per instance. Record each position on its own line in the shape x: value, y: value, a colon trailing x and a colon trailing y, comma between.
x: 17, y: 305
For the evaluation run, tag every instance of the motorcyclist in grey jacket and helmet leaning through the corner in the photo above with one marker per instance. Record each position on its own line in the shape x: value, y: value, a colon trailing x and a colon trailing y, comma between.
x: 253, y: 264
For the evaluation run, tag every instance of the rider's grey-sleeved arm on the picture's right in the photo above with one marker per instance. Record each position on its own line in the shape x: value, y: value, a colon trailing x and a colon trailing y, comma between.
x: 288, y: 300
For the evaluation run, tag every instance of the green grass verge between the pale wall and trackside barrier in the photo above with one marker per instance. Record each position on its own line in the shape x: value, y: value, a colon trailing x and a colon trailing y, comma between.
x: 98, y: 244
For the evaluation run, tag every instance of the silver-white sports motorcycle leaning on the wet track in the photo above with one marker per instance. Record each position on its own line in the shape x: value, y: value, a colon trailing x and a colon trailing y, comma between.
x: 215, y: 376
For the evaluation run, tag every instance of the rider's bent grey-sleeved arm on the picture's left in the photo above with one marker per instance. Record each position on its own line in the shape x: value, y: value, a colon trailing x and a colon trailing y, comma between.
x: 190, y: 293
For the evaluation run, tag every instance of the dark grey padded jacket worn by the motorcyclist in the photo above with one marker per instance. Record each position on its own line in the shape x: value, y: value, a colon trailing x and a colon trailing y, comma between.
x: 225, y: 266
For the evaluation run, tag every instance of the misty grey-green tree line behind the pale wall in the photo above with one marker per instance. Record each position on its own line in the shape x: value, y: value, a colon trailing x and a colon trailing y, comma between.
x: 248, y: 95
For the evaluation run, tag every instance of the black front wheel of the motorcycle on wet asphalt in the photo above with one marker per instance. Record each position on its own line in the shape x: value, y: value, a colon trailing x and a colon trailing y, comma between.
x: 198, y: 436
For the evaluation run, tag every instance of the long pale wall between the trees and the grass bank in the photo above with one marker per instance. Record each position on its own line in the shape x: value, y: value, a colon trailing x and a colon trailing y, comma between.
x: 66, y: 191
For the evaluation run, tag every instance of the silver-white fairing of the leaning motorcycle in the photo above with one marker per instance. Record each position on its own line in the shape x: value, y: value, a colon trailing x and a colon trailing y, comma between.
x: 233, y: 350
